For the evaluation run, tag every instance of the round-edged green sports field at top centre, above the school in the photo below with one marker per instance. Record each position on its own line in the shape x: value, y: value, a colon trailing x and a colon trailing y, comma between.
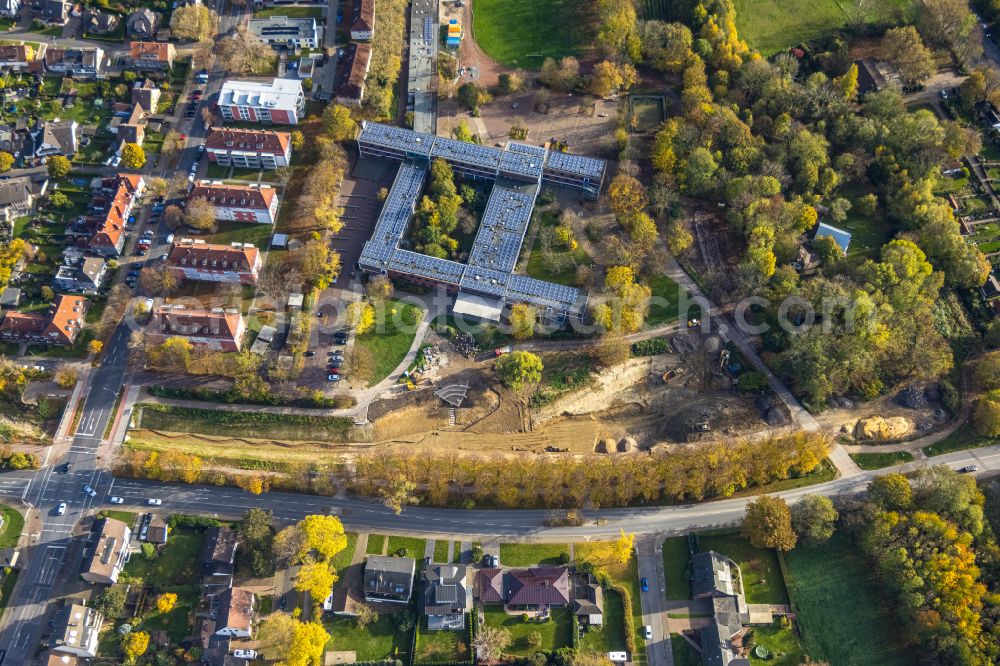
x: 522, y: 33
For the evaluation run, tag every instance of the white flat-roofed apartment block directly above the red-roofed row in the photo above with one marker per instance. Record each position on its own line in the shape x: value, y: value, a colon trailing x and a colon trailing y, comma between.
x: 278, y: 101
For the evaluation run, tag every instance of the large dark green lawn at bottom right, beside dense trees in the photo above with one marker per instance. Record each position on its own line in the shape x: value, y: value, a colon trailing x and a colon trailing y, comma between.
x: 843, y: 617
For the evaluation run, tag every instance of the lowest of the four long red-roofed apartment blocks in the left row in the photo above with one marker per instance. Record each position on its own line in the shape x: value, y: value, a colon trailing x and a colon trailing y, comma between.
x: 216, y: 329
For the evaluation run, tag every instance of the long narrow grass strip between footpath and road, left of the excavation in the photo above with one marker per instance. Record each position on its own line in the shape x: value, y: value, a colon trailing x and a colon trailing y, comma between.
x: 244, y: 424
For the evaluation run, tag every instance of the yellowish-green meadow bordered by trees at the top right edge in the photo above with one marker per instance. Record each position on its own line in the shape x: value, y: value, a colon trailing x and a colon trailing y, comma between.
x: 773, y: 25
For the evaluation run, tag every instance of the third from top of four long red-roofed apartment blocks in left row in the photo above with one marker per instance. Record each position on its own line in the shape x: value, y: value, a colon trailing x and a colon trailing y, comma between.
x: 239, y: 263
